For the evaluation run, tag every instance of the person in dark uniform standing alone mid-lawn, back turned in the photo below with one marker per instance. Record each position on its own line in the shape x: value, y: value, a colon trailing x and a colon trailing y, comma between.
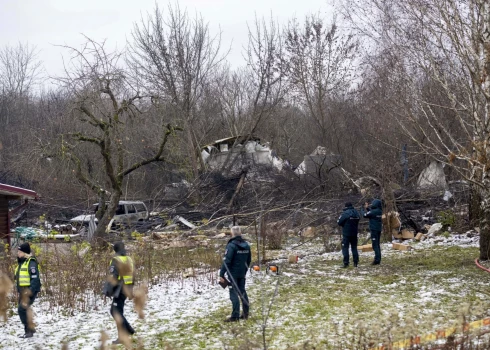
x: 235, y: 264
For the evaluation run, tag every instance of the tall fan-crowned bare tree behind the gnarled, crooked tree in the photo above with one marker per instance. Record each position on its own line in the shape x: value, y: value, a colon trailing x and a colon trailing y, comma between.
x: 177, y: 57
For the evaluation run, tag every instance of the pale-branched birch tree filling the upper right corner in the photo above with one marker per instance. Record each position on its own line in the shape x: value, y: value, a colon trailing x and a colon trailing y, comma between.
x: 442, y: 50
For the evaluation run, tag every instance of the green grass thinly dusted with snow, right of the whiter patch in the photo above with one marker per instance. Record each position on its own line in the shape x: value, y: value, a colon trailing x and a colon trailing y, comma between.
x: 320, y: 305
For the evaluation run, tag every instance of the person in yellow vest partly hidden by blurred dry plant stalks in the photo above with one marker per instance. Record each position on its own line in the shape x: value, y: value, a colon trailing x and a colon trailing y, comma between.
x: 120, y: 286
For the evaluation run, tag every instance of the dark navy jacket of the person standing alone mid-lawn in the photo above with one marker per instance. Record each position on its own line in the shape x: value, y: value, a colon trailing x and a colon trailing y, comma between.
x: 237, y: 258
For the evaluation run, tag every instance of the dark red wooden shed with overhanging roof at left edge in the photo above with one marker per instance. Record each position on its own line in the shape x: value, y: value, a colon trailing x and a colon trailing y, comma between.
x: 8, y: 193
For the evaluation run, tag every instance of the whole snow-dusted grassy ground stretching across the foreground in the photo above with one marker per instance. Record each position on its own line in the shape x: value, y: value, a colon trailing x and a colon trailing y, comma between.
x: 317, y: 302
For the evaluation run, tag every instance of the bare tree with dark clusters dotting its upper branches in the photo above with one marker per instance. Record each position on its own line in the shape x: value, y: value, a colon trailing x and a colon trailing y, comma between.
x: 319, y: 69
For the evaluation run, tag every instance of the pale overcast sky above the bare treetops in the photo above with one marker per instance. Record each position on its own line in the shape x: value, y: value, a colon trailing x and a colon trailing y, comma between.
x: 46, y: 23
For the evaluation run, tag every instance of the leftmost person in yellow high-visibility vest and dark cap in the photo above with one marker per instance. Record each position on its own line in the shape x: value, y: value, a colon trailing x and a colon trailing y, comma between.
x: 28, y: 282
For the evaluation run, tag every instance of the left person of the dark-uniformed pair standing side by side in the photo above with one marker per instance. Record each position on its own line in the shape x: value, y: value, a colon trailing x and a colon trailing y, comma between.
x: 349, y: 220
